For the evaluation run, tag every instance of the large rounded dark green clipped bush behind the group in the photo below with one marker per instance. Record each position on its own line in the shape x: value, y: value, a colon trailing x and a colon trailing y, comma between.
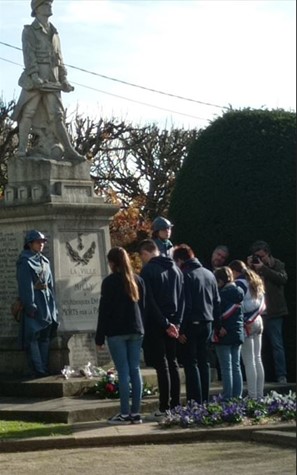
x: 237, y: 185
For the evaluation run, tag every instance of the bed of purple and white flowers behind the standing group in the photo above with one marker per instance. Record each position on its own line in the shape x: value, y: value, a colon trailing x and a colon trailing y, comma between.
x: 274, y: 406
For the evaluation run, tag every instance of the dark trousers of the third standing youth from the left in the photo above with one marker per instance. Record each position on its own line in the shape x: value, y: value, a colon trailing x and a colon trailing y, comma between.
x: 195, y: 361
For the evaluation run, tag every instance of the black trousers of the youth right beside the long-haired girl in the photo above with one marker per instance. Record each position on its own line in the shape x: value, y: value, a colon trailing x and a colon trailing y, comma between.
x: 160, y: 353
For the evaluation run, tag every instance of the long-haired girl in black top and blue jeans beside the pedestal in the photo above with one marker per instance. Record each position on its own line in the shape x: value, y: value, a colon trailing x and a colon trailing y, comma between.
x: 120, y: 319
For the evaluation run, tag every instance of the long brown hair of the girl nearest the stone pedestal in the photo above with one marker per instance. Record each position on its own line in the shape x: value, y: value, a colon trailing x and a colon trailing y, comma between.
x: 121, y: 263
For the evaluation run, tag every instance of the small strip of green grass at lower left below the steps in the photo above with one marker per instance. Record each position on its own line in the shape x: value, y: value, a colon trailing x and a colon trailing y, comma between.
x: 21, y: 429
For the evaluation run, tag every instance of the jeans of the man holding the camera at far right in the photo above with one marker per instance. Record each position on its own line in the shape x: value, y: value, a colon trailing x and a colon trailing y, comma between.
x: 274, y: 331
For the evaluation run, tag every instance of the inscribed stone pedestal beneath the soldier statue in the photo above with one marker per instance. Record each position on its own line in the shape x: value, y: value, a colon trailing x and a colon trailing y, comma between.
x: 56, y: 198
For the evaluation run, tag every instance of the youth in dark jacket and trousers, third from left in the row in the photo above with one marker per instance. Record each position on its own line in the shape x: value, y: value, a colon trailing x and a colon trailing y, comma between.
x: 202, y: 305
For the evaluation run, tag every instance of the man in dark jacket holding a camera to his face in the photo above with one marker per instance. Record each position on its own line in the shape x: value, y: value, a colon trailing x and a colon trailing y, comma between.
x: 274, y: 275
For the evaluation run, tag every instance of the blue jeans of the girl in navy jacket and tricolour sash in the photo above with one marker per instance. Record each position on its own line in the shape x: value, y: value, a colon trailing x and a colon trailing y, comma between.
x: 229, y: 359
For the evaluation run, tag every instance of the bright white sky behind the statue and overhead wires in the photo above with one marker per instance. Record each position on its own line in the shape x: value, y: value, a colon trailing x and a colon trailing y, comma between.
x: 239, y: 53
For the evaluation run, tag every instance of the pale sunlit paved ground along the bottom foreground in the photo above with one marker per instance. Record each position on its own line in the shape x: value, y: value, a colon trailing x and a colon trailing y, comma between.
x: 197, y: 458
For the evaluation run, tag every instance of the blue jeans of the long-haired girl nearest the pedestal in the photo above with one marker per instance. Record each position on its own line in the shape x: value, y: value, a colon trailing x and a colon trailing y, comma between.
x: 125, y: 352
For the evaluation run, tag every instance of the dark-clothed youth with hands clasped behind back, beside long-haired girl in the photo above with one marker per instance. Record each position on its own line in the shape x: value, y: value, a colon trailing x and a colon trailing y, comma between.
x: 165, y: 308
